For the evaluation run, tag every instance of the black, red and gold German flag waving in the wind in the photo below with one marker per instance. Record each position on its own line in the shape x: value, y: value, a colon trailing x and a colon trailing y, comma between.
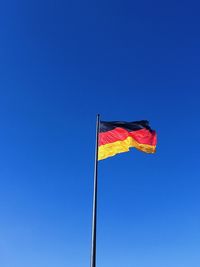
x: 119, y: 136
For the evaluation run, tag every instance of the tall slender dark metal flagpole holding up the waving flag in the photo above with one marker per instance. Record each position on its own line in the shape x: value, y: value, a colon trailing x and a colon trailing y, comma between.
x: 94, y: 213
